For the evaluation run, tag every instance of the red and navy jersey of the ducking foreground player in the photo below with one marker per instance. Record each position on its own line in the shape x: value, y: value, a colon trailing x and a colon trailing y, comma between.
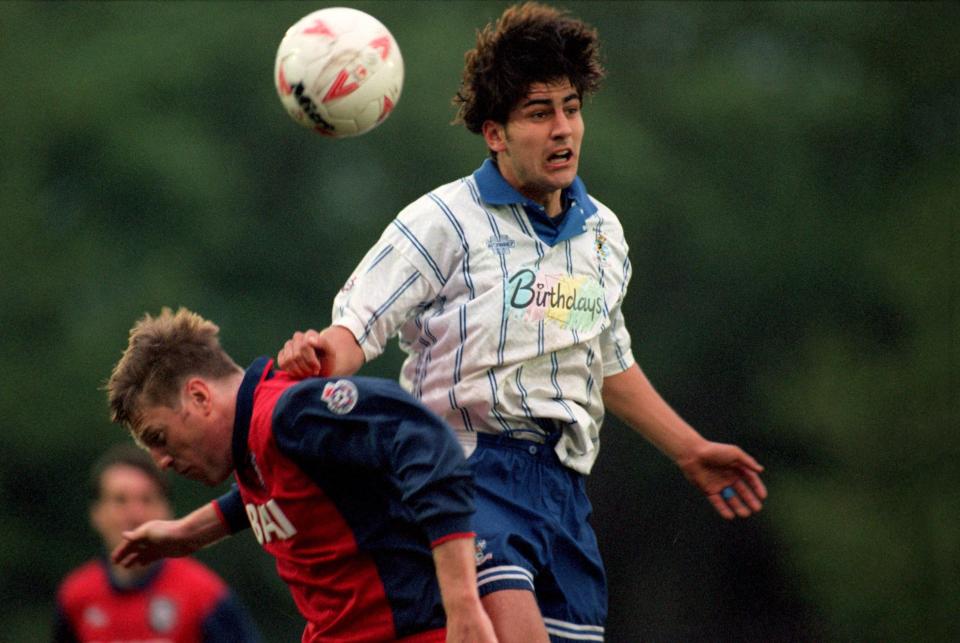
x: 348, y: 483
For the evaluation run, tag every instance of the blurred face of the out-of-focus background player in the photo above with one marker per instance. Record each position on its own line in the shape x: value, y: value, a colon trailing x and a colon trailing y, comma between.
x: 128, y: 498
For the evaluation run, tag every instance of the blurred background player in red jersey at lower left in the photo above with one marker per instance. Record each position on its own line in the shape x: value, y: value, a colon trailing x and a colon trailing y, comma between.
x: 176, y: 600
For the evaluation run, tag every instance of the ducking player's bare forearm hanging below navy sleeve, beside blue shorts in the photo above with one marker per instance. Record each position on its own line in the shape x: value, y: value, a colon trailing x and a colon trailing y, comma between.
x: 467, y: 622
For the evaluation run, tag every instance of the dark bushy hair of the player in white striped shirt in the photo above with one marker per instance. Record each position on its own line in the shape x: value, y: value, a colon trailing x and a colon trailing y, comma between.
x: 530, y: 43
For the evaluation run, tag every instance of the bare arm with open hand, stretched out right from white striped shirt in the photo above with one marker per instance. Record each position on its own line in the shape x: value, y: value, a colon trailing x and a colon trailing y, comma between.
x: 711, y: 466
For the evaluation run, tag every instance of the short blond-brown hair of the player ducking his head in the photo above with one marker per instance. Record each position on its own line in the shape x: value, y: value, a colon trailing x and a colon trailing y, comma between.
x: 162, y: 353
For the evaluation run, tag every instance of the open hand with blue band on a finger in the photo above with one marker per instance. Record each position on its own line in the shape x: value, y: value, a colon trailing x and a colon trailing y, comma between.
x: 714, y: 467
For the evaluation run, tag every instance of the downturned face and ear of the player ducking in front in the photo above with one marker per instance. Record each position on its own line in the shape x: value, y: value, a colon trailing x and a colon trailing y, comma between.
x: 190, y: 439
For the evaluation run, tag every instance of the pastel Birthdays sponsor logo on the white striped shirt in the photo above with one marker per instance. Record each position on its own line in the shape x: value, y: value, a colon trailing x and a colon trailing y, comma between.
x: 570, y: 301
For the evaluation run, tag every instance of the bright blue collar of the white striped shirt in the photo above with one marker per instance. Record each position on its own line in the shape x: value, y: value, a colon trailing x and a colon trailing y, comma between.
x: 495, y: 190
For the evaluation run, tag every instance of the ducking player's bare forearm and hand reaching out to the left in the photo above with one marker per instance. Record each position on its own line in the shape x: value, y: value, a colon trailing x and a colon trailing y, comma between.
x: 170, y: 538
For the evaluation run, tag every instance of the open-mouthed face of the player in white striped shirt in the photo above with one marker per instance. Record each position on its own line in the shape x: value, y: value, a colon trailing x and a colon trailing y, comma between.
x: 538, y: 149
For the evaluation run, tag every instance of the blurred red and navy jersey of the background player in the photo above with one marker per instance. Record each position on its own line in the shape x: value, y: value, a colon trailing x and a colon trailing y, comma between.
x: 178, y: 601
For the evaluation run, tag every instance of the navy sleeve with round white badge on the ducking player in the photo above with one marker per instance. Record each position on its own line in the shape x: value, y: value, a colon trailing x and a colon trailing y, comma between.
x: 374, y: 424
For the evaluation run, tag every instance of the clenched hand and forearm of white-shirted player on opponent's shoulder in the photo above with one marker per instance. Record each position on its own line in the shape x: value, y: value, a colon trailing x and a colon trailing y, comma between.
x: 332, y: 351
